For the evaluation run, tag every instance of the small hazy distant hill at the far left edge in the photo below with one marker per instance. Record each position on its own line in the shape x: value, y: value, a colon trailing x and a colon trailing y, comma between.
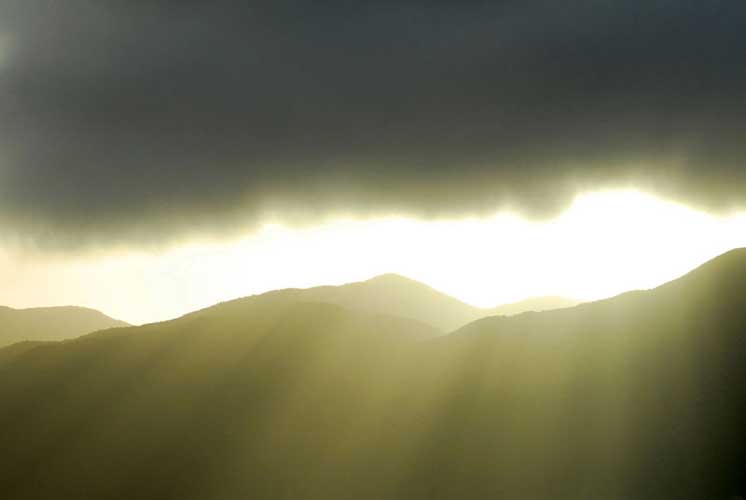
x: 51, y: 323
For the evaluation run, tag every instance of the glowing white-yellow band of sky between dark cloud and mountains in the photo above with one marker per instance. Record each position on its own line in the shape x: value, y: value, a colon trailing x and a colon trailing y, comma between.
x: 606, y: 243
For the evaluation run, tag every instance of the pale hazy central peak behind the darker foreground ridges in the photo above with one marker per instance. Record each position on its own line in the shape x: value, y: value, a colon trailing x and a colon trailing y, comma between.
x: 396, y: 295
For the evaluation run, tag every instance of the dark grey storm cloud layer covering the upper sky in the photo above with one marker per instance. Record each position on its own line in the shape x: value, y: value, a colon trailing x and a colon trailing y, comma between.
x: 129, y: 121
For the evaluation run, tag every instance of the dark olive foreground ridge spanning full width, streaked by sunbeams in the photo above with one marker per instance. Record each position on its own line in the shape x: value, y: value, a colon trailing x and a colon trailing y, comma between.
x: 637, y: 397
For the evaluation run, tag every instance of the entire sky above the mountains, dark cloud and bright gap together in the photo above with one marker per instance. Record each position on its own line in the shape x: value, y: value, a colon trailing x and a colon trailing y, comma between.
x: 137, y: 133
